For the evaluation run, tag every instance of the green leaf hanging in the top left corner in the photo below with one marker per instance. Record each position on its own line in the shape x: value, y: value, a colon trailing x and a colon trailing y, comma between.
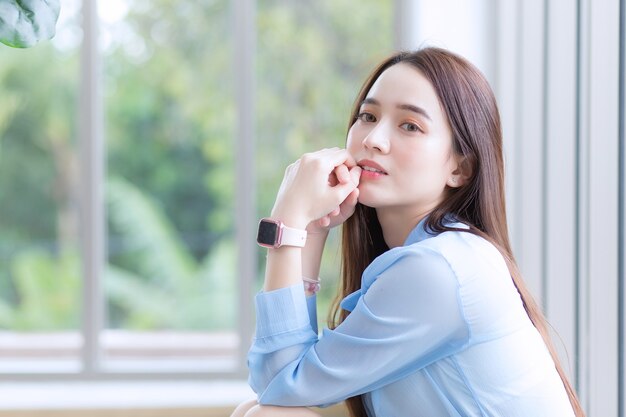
x: 23, y: 23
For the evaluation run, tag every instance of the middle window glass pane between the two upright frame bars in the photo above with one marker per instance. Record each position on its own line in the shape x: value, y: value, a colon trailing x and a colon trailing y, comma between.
x: 170, y: 278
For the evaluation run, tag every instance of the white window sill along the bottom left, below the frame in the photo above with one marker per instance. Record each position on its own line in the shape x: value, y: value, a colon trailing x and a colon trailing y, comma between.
x: 121, y: 398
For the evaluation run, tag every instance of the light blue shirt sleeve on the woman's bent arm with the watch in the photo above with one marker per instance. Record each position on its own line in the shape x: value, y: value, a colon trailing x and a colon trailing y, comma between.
x: 409, y: 317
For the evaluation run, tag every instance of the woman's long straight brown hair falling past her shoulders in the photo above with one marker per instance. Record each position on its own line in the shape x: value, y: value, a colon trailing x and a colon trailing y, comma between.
x: 473, y: 116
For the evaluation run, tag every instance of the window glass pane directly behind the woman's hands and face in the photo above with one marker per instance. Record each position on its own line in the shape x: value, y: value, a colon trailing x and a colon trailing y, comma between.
x: 312, y: 59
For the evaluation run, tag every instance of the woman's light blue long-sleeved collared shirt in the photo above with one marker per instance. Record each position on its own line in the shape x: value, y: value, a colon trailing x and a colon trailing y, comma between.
x: 437, y: 329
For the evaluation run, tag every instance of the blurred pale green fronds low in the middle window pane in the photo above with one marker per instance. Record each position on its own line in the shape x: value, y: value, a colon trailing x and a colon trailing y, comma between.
x: 163, y: 286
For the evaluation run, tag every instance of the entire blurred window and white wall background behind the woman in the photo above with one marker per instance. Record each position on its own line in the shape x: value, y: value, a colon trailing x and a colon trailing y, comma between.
x: 139, y: 147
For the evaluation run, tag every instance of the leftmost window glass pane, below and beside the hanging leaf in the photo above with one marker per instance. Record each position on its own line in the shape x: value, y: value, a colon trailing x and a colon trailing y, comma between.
x: 40, y: 268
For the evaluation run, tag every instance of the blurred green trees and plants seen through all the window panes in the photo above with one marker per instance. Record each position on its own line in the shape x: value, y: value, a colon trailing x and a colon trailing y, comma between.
x: 170, y: 128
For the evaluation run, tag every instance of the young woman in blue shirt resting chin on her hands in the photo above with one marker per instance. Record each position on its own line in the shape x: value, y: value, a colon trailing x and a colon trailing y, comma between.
x: 435, y: 318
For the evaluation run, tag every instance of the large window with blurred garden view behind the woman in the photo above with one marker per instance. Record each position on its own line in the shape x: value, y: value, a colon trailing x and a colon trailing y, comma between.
x: 127, y: 264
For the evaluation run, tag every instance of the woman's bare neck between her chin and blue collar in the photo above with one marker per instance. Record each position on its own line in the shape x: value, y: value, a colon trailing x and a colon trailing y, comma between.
x: 397, y: 223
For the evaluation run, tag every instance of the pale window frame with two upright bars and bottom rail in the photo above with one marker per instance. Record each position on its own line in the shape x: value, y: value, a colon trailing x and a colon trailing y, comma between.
x: 92, y: 153
